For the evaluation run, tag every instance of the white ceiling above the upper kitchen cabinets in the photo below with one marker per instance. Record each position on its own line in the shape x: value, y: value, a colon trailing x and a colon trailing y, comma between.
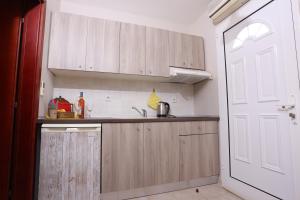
x: 178, y: 11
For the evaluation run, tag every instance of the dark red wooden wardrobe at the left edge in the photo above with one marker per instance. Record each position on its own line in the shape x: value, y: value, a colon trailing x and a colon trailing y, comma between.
x: 21, y: 40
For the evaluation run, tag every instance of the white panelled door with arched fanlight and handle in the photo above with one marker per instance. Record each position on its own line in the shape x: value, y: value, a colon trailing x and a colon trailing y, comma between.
x: 262, y: 83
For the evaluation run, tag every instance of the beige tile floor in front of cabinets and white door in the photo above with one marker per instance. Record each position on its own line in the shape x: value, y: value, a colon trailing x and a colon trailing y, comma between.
x: 209, y: 192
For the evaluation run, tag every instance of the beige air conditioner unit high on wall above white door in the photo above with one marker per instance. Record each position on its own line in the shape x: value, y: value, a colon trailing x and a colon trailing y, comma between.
x: 220, y: 9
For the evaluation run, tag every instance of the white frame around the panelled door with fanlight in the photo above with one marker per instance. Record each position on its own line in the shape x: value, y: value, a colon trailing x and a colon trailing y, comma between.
x: 241, y: 189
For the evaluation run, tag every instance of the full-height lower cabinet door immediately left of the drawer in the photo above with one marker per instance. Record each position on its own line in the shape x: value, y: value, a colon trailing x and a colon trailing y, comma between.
x: 161, y: 153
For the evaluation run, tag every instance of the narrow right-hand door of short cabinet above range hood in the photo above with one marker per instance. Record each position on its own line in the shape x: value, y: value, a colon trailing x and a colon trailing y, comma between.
x: 198, y: 56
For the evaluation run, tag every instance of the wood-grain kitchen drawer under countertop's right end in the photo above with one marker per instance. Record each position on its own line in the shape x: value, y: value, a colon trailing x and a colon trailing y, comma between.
x: 198, y: 128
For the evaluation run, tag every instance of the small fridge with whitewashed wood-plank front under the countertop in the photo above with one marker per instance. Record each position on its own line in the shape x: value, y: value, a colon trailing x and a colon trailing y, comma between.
x: 69, y: 162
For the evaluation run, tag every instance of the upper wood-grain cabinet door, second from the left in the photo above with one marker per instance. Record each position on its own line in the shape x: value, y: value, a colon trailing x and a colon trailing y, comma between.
x: 103, y: 46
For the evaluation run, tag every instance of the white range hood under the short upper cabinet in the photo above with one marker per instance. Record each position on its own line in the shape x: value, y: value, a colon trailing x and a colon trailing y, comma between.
x: 188, y: 76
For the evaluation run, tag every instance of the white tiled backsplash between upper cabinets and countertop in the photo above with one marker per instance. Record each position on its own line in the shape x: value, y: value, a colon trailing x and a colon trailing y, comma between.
x: 115, y: 98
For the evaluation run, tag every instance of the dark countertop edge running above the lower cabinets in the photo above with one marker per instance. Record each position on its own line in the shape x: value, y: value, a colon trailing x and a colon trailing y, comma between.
x: 126, y: 120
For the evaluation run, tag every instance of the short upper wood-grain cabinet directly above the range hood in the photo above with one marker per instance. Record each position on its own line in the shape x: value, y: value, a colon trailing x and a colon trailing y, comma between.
x: 186, y: 51
